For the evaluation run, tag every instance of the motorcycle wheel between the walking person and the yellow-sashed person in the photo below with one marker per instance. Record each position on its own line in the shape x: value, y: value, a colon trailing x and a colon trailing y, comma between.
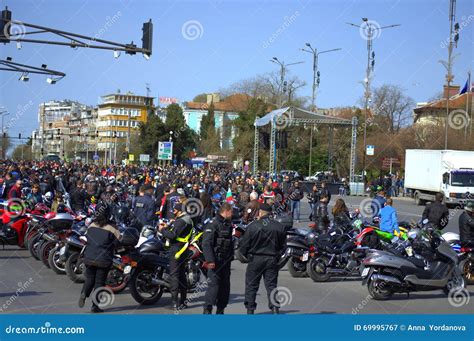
x: 141, y: 288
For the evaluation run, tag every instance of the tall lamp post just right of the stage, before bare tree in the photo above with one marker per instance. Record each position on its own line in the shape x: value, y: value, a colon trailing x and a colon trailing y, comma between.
x: 369, y: 28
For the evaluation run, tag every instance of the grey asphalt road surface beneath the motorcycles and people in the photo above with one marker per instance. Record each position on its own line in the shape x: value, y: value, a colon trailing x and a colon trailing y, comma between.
x: 27, y: 286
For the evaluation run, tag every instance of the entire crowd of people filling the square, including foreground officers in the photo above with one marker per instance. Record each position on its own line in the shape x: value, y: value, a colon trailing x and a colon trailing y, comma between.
x: 154, y: 193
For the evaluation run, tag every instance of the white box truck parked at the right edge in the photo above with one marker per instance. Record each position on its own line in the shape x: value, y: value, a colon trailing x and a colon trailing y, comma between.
x: 450, y: 172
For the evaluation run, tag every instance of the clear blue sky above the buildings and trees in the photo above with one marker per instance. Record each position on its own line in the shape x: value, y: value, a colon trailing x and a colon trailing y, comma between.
x: 204, y: 46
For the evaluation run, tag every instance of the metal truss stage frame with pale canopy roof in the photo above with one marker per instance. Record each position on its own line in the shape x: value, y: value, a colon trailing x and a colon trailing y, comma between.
x: 292, y: 116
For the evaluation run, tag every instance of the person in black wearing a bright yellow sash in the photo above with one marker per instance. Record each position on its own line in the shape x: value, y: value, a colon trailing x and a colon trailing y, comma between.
x: 178, y: 234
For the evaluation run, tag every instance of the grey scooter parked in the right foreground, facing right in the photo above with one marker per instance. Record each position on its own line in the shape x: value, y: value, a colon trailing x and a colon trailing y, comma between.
x: 432, y: 266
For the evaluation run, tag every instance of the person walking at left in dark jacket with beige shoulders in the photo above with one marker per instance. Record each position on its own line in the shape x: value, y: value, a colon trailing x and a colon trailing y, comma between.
x: 102, y: 238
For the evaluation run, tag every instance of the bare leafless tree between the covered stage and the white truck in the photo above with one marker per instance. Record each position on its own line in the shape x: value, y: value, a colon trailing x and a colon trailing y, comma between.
x: 392, y: 108
